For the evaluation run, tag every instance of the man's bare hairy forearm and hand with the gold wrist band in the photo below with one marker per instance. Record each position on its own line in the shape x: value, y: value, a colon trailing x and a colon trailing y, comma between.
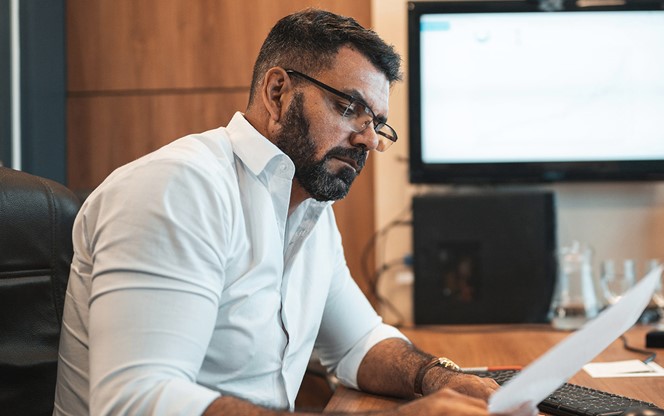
x: 391, y: 366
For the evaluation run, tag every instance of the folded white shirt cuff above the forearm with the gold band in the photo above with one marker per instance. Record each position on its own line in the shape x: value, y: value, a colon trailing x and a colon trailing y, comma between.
x: 349, y: 365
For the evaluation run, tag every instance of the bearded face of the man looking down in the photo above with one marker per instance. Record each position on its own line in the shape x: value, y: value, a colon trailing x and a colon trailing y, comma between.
x: 326, y: 152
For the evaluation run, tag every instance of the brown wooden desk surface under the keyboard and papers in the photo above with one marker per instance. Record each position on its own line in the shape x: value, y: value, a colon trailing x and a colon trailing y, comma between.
x: 490, y: 345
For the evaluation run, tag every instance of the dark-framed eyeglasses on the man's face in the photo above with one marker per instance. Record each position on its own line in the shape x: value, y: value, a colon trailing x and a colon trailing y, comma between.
x: 357, y: 113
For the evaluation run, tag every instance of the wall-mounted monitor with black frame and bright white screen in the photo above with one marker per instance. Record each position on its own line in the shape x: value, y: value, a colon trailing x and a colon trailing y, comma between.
x: 502, y: 91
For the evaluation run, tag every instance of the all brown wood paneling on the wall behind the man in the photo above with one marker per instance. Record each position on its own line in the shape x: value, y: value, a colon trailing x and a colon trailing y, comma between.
x: 142, y: 73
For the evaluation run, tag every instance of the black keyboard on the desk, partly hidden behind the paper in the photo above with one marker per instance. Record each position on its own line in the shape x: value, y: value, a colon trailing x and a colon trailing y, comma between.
x: 573, y: 400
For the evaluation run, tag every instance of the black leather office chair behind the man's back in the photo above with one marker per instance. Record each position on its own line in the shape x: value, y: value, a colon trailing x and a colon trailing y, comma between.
x: 36, y: 218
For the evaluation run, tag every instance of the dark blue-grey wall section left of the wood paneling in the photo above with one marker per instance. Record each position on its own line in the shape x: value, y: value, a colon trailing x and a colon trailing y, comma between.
x: 43, y: 86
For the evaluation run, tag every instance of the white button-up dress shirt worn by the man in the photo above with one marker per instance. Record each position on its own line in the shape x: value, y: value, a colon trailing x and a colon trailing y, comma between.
x: 190, y: 280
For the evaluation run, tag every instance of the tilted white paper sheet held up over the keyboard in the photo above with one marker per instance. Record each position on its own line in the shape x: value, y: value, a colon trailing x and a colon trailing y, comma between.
x: 544, y: 375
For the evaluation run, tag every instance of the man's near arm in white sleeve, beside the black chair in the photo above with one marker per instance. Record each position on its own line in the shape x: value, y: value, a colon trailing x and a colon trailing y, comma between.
x: 155, y: 283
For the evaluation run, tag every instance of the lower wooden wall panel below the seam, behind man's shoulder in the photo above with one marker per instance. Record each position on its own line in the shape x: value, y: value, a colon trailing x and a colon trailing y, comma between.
x: 106, y: 132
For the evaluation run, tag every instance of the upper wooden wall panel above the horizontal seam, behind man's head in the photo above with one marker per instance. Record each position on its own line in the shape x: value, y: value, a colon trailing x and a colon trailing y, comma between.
x: 155, y: 44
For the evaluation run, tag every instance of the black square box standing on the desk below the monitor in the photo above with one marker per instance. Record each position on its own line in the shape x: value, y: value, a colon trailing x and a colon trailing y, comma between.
x: 484, y: 257
